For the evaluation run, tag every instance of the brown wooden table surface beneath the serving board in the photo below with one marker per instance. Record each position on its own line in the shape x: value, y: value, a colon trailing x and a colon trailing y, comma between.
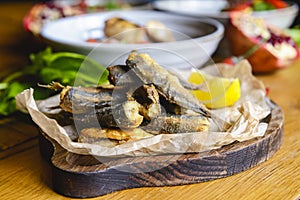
x: 25, y: 175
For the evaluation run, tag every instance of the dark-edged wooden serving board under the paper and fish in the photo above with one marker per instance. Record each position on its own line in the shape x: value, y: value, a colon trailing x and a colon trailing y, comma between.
x: 82, y: 176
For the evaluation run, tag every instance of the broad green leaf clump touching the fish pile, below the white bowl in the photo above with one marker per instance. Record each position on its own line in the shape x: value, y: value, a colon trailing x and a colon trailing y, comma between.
x: 66, y: 67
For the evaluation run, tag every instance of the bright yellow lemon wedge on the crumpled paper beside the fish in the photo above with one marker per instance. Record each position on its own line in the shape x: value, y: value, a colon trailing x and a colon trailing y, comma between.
x: 221, y: 92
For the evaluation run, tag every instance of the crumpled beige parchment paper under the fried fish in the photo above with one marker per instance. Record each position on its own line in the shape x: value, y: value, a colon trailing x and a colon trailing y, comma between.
x: 244, y: 116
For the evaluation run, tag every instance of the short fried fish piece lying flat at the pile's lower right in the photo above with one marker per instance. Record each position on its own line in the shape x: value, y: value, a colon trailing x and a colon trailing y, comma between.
x: 172, y: 124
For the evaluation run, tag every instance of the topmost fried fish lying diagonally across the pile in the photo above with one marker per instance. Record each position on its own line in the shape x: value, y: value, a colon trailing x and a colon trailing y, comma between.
x: 151, y: 72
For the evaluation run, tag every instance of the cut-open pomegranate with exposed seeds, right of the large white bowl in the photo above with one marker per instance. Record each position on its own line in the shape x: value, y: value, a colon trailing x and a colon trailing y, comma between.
x: 274, y: 48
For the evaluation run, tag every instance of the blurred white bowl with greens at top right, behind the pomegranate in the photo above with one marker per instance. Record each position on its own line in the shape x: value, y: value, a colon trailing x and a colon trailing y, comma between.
x: 281, y: 18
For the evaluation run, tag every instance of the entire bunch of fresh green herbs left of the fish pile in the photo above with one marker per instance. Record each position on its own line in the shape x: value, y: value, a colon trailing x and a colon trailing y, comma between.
x: 47, y: 66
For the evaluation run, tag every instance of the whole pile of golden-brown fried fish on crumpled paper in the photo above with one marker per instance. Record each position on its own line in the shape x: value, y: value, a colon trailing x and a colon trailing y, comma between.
x: 143, y: 99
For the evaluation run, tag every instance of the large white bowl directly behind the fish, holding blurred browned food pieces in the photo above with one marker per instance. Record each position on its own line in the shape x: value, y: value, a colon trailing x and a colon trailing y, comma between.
x: 71, y: 33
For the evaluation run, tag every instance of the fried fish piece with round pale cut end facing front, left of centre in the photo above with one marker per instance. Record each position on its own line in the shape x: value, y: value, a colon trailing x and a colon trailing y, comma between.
x: 123, y: 115
